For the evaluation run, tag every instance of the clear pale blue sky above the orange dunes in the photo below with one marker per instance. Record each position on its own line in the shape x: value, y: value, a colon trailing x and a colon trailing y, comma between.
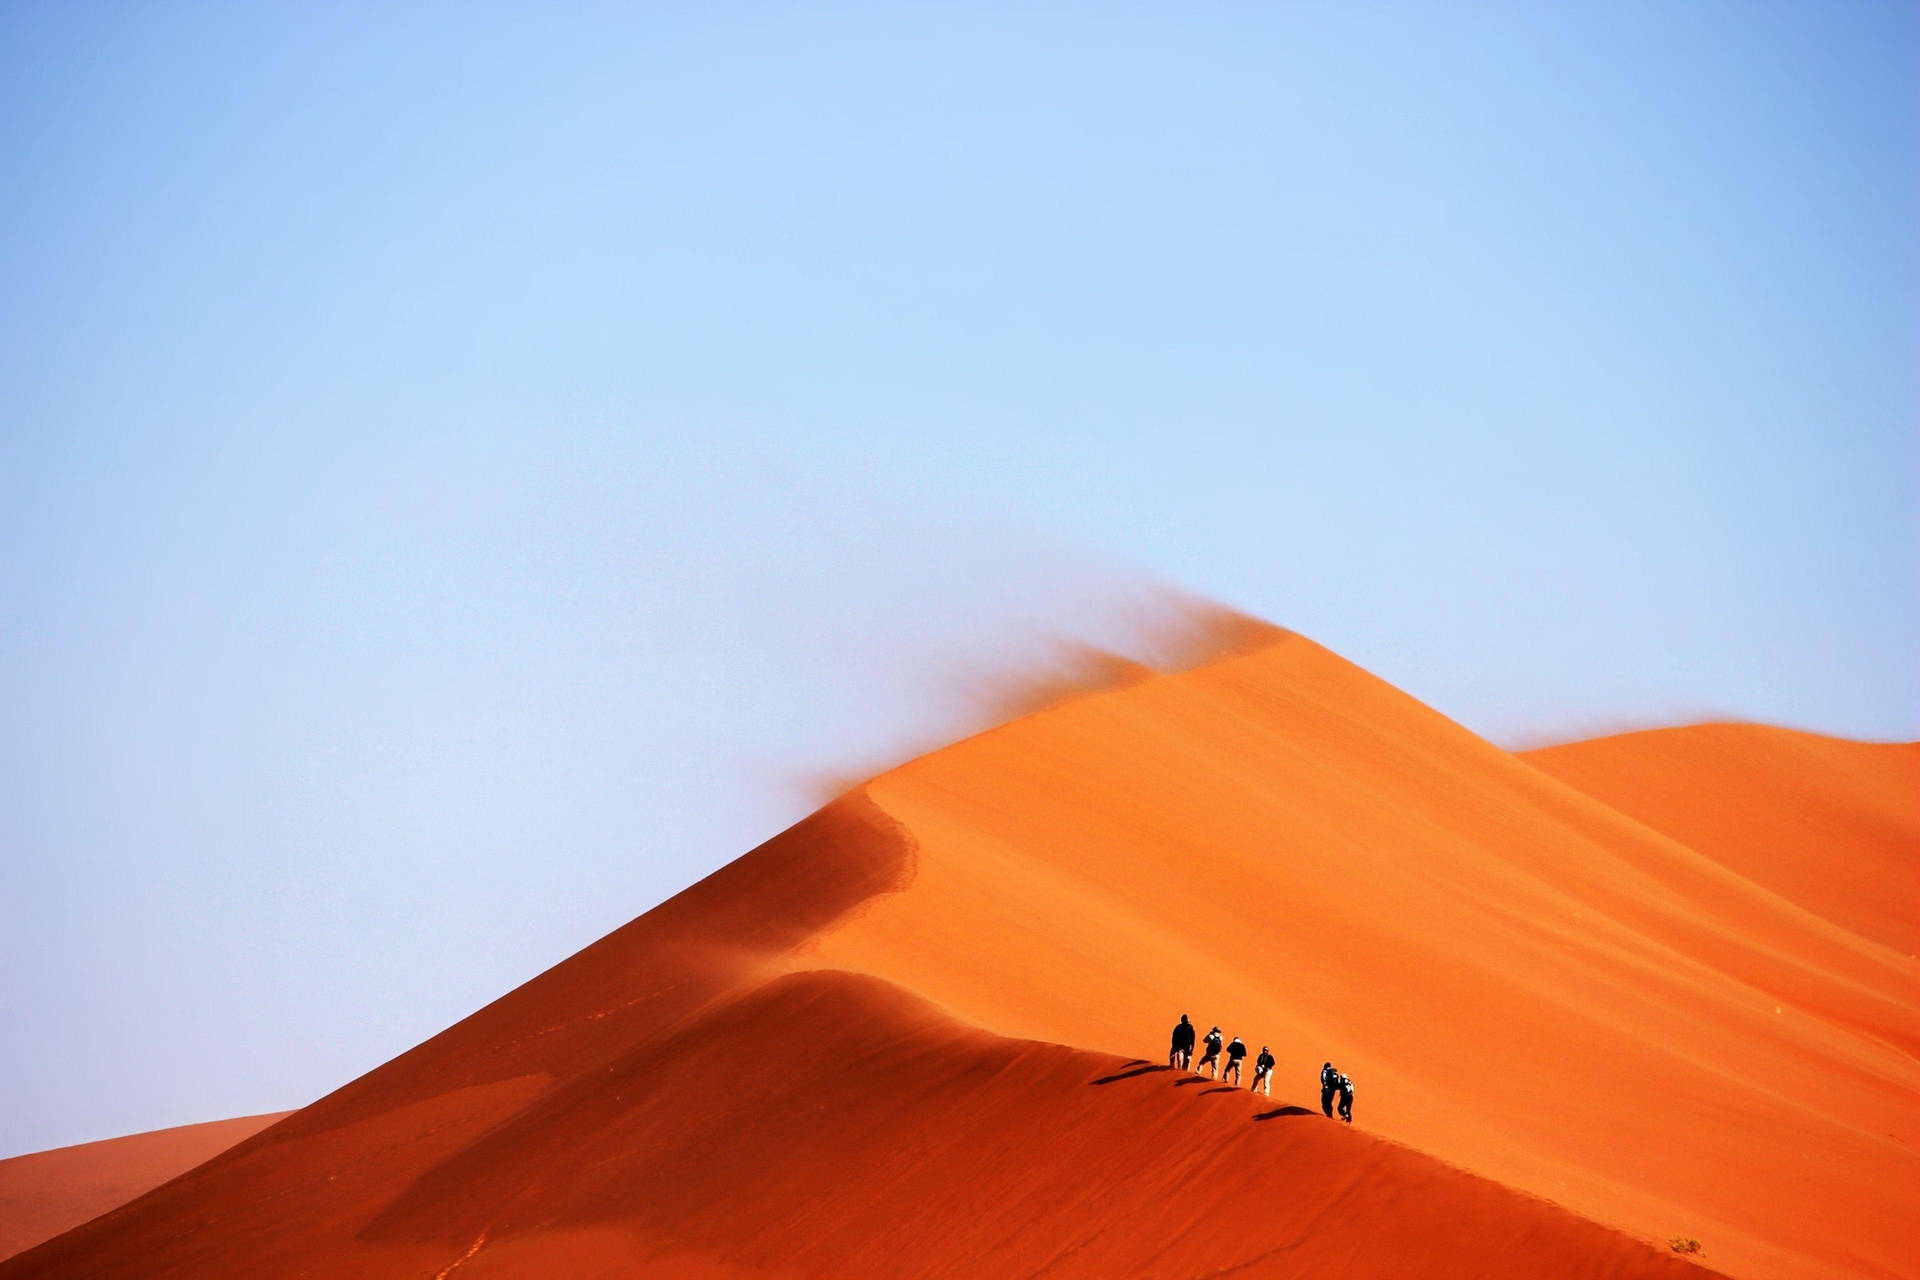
x: 469, y: 471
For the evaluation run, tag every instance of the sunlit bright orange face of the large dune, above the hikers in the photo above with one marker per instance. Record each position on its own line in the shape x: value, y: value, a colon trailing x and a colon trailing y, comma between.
x: 1522, y: 980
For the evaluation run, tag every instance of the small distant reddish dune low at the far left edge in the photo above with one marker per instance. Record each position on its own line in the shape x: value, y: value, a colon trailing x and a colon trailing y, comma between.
x: 49, y: 1193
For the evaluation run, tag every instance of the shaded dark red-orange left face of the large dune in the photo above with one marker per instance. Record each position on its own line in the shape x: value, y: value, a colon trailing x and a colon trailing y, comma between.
x: 679, y: 1102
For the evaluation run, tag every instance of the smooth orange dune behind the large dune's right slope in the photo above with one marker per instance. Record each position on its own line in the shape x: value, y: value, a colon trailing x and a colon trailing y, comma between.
x: 1823, y: 822
